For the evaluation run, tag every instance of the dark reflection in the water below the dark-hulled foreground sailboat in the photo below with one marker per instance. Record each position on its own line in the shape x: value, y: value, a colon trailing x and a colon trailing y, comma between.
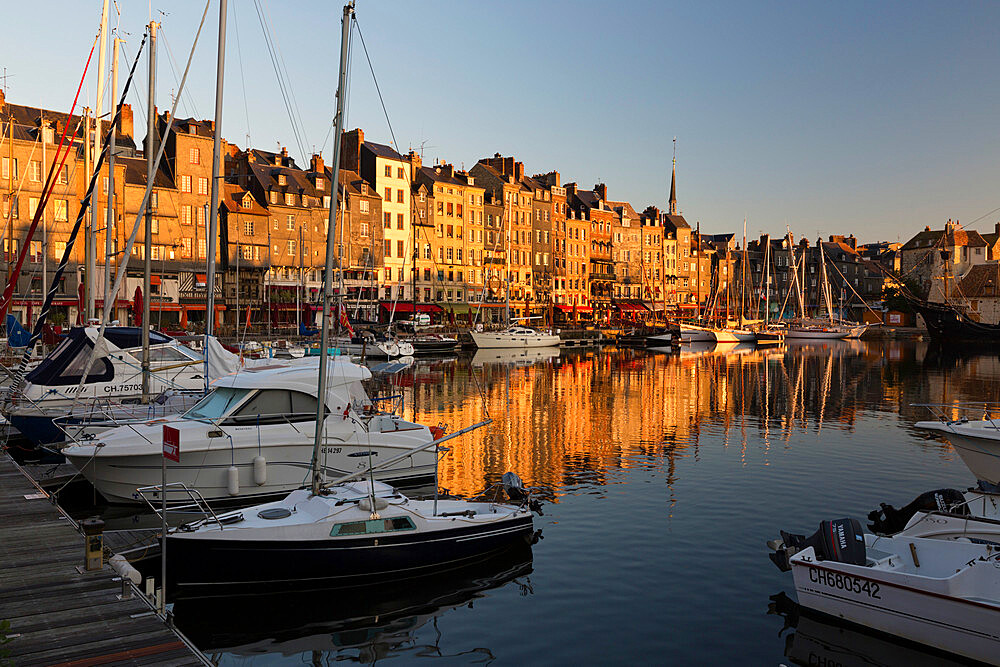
x: 364, y: 624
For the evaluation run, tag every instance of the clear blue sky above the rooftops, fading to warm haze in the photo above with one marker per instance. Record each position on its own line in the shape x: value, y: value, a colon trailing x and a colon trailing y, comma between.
x: 871, y: 118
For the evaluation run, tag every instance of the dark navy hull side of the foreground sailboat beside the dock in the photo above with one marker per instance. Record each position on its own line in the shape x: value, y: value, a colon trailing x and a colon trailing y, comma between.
x: 214, y: 565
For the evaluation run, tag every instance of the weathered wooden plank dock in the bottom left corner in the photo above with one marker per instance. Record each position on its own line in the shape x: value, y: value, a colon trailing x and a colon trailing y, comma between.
x: 59, y: 616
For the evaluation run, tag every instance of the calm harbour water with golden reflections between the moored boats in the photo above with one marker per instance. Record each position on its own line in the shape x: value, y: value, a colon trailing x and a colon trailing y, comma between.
x: 664, y: 477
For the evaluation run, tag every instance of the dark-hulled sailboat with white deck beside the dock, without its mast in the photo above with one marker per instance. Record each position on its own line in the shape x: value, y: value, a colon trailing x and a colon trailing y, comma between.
x: 358, y: 532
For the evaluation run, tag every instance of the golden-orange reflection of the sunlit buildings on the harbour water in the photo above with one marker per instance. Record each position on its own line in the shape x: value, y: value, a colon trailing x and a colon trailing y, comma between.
x: 577, y: 418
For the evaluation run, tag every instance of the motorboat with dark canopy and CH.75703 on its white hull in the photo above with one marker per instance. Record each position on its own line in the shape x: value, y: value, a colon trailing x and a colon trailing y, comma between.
x: 56, y: 386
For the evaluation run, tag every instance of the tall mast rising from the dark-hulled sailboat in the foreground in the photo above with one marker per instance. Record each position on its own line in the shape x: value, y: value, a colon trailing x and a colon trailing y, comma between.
x: 331, y: 230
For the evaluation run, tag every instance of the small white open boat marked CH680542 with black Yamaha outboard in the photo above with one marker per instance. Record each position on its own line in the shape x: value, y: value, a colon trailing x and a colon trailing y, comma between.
x: 942, y: 593
